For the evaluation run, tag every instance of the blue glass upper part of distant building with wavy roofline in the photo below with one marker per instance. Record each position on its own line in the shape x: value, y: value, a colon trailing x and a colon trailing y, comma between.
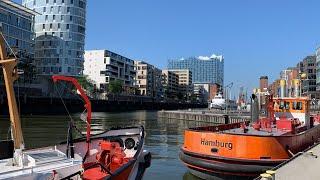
x: 204, y: 69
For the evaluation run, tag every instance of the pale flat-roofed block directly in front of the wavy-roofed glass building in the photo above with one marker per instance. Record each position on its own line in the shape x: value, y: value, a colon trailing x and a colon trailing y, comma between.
x: 185, y: 82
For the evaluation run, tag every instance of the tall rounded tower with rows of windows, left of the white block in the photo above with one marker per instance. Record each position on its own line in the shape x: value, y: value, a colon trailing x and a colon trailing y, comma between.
x: 60, y: 35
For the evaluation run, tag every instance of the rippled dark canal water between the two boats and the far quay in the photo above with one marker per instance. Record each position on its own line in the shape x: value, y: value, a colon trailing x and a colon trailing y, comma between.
x: 163, y: 140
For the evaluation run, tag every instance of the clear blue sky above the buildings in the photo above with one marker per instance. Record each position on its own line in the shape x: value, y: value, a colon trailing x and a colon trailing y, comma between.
x: 256, y: 37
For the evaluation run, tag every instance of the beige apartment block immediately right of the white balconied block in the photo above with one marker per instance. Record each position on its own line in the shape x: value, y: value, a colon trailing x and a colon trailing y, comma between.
x: 148, y: 79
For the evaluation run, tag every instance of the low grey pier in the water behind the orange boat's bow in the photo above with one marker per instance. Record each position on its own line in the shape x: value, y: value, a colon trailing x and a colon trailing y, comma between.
x: 205, y: 116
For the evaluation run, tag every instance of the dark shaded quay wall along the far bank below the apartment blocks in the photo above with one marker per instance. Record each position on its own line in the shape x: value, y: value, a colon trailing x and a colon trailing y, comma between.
x: 48, y: 106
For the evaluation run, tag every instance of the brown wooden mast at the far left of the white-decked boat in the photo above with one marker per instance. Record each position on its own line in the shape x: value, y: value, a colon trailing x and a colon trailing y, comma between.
x: 10, y: 74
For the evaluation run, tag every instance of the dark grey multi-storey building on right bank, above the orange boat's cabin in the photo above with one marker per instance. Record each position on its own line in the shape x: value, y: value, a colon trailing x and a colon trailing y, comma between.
x: 309, y: 85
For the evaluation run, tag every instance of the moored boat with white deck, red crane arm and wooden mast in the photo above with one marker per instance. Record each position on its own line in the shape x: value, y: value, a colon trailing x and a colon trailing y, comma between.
x: 116, y: 153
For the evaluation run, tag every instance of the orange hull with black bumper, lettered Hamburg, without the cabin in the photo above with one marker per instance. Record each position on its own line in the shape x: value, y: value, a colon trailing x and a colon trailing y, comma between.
x: 243, y: 155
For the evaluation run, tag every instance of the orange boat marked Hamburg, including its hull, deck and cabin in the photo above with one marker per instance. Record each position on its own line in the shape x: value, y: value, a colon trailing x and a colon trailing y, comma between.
x: 247, y: 149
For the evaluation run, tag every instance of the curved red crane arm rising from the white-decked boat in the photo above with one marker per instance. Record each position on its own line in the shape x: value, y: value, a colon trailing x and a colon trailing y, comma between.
x: 83, y: 95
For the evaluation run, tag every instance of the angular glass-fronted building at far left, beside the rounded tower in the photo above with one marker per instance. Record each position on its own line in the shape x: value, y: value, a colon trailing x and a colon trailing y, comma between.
x: 16, y: 24
